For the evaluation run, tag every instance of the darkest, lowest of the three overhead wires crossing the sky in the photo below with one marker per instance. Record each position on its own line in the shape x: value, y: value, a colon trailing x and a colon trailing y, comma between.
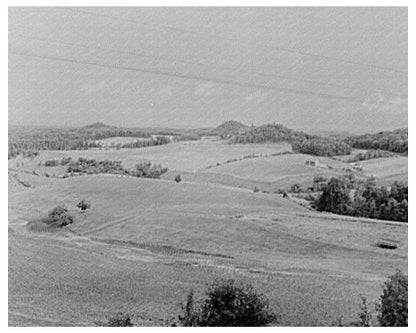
x: 190, y: 77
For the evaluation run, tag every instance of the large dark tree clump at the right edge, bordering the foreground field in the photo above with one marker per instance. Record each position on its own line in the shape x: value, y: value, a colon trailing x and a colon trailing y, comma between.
x: 344, y: 195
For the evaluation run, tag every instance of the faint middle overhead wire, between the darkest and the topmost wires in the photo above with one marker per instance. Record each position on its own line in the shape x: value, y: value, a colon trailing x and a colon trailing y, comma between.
x: 180, y: 60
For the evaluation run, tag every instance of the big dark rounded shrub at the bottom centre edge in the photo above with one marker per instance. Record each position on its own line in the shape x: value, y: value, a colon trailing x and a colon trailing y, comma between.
x: 227, y: 304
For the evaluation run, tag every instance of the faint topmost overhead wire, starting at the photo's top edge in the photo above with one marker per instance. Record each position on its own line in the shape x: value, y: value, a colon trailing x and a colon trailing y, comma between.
x: 245, y: 42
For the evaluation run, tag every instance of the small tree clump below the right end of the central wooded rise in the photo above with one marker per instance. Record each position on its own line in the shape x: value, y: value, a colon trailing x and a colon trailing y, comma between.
x: 322, y: 147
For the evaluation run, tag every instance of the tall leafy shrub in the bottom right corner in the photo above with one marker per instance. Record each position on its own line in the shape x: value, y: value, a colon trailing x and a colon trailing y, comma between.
x: 393, y: 304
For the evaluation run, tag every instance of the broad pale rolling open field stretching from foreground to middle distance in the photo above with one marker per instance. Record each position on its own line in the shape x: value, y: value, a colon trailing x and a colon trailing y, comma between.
x: 144, y: 244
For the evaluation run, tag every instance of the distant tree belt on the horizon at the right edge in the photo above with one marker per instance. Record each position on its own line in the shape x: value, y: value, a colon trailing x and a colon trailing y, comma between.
x: 395, y: 141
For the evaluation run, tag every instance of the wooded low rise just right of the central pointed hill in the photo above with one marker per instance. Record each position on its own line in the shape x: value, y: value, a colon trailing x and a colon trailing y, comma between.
x: 270, y: 133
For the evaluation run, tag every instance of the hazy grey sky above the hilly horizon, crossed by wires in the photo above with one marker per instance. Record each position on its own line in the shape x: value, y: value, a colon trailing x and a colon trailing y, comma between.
x: 307, y: 68
